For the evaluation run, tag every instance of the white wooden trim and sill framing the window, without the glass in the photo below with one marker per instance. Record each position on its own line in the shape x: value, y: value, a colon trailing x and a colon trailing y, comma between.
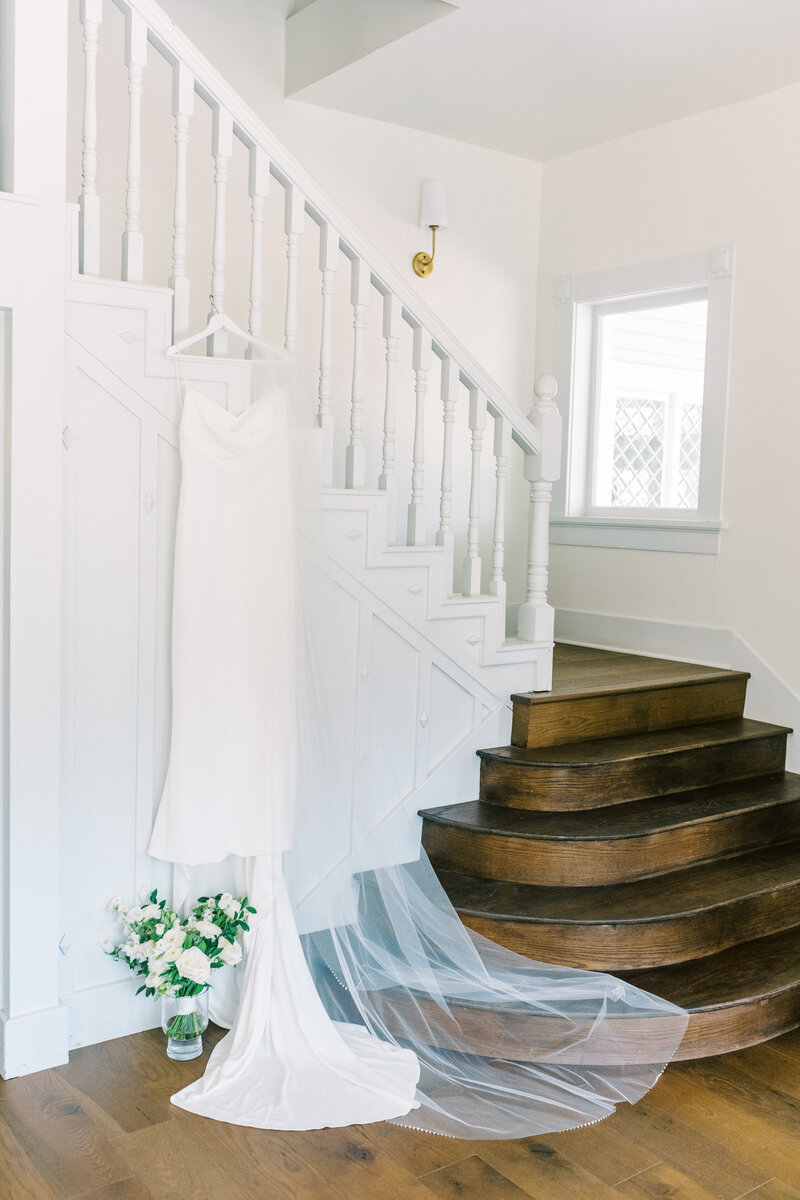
x: 576, y: 299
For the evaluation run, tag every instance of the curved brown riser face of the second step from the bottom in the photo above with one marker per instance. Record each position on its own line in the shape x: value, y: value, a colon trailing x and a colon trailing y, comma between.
x: 635, y: 946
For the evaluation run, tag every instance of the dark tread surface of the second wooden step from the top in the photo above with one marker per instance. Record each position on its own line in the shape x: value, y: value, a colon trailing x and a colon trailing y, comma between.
x: 636, y: 746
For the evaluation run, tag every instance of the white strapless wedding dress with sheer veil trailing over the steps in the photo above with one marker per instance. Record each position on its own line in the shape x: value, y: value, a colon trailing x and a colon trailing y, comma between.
x: 387, y: 1007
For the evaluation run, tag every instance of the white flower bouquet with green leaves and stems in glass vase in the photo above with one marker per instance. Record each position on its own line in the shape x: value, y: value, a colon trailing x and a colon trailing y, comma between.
x: 178, y: 955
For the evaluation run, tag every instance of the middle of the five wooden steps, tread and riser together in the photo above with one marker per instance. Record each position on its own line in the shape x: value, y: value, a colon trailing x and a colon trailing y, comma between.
x: 616, y: 844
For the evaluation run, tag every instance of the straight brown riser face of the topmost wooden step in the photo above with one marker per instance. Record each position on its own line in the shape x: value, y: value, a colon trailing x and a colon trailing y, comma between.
x: 540, y: 723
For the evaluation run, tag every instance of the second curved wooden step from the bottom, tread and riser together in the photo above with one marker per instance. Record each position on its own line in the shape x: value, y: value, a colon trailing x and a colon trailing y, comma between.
x: 654, y: 922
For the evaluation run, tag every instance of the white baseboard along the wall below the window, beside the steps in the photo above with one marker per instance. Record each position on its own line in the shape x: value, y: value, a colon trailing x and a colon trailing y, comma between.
x: 769, y: 698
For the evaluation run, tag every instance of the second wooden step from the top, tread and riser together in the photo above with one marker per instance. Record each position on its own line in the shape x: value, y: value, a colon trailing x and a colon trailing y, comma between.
x: 612, y: 771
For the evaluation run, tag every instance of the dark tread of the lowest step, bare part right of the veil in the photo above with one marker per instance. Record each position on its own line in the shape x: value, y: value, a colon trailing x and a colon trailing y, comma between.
x: 742, y: 975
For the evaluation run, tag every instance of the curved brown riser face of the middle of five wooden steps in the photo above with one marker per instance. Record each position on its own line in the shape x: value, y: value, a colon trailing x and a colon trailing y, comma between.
x: 593, y: 863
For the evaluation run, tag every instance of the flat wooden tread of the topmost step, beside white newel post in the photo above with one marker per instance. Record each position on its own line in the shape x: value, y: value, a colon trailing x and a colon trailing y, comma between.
x: 581, y: 671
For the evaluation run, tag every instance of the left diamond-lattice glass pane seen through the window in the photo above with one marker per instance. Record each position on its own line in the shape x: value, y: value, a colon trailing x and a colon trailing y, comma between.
x: 639, y: 453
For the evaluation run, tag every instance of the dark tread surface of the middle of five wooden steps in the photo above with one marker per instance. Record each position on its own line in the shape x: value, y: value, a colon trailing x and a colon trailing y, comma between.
x: 636, y: 819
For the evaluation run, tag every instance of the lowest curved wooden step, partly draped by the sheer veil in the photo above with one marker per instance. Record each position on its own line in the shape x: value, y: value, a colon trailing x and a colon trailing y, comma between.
x: 735, y: 999
